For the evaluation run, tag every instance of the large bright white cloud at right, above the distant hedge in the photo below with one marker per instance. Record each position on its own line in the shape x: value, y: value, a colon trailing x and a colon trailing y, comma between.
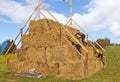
x: 101, y: 14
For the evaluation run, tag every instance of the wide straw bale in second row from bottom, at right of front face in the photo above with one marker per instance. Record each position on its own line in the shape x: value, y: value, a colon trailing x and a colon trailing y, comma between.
x: 63, y: 53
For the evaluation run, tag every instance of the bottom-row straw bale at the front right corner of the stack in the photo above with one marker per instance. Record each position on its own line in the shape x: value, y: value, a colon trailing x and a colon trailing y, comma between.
x: 72, y: 70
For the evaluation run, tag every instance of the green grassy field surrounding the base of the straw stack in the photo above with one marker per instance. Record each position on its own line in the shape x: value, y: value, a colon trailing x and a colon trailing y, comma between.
x: 110, y: 74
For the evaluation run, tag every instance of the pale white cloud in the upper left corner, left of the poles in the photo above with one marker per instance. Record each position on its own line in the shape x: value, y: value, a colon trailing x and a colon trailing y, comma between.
x: 15, y: 11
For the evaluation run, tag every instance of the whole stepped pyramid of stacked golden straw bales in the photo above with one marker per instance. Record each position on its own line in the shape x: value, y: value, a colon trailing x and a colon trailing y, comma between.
x: 48, y: 48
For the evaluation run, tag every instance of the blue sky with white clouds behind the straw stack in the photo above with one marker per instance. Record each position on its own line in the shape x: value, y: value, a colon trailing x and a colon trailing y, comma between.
x: 100, y: 18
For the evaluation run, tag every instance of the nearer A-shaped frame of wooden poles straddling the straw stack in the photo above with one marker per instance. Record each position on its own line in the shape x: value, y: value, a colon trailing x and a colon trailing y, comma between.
x: 40, y: 5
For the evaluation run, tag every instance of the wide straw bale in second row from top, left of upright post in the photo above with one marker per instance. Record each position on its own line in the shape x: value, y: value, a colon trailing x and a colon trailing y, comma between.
x: 48, y: 39
